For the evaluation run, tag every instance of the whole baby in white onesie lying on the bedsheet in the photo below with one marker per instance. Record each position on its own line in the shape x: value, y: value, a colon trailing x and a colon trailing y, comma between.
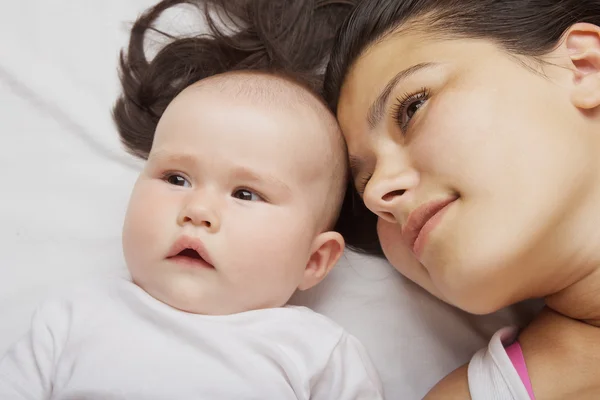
x: 230, y: 215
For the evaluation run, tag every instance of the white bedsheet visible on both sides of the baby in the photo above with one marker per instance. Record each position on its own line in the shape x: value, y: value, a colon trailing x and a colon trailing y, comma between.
x: 64, y: 184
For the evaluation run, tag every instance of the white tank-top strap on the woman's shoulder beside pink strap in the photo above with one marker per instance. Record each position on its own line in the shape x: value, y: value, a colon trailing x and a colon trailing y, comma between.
x: 491, y: 373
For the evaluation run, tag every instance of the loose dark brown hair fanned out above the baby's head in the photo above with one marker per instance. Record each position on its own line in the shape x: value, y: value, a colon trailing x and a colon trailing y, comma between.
x: 291, y: 39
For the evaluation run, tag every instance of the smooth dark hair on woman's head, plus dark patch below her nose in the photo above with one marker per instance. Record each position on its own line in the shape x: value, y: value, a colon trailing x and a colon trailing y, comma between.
x: 521, y: 27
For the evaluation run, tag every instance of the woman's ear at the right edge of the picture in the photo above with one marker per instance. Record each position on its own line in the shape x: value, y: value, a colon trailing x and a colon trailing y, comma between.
x: 582, y: 43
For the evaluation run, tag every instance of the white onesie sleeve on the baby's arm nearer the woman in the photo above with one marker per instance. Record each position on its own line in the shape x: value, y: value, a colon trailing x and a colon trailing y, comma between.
x: 349, y: 374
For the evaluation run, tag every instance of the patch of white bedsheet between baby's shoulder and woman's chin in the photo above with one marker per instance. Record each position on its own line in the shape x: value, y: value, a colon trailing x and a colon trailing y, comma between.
x: 413, y: 338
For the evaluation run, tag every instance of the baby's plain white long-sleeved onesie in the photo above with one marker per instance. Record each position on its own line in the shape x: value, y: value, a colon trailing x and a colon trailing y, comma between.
x: 114, y: 341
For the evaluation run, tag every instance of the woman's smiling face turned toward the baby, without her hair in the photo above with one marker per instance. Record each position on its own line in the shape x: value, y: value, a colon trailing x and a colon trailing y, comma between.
x: 473, y: 162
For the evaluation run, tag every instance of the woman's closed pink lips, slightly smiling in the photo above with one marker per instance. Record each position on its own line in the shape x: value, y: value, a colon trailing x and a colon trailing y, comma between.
x: 422, y: 221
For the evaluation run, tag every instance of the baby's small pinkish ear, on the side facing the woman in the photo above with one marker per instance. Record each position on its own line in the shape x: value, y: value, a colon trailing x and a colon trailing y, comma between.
x: 326, y: 250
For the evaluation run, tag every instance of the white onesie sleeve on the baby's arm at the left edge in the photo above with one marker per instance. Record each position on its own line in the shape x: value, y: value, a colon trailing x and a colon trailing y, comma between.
x: 26, y: 369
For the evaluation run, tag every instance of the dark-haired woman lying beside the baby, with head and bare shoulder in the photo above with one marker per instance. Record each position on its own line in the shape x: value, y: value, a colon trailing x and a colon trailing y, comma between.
x: 473, y: 129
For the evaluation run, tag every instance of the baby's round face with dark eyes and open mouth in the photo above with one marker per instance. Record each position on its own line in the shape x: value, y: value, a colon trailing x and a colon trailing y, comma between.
x: 224, y: 216
